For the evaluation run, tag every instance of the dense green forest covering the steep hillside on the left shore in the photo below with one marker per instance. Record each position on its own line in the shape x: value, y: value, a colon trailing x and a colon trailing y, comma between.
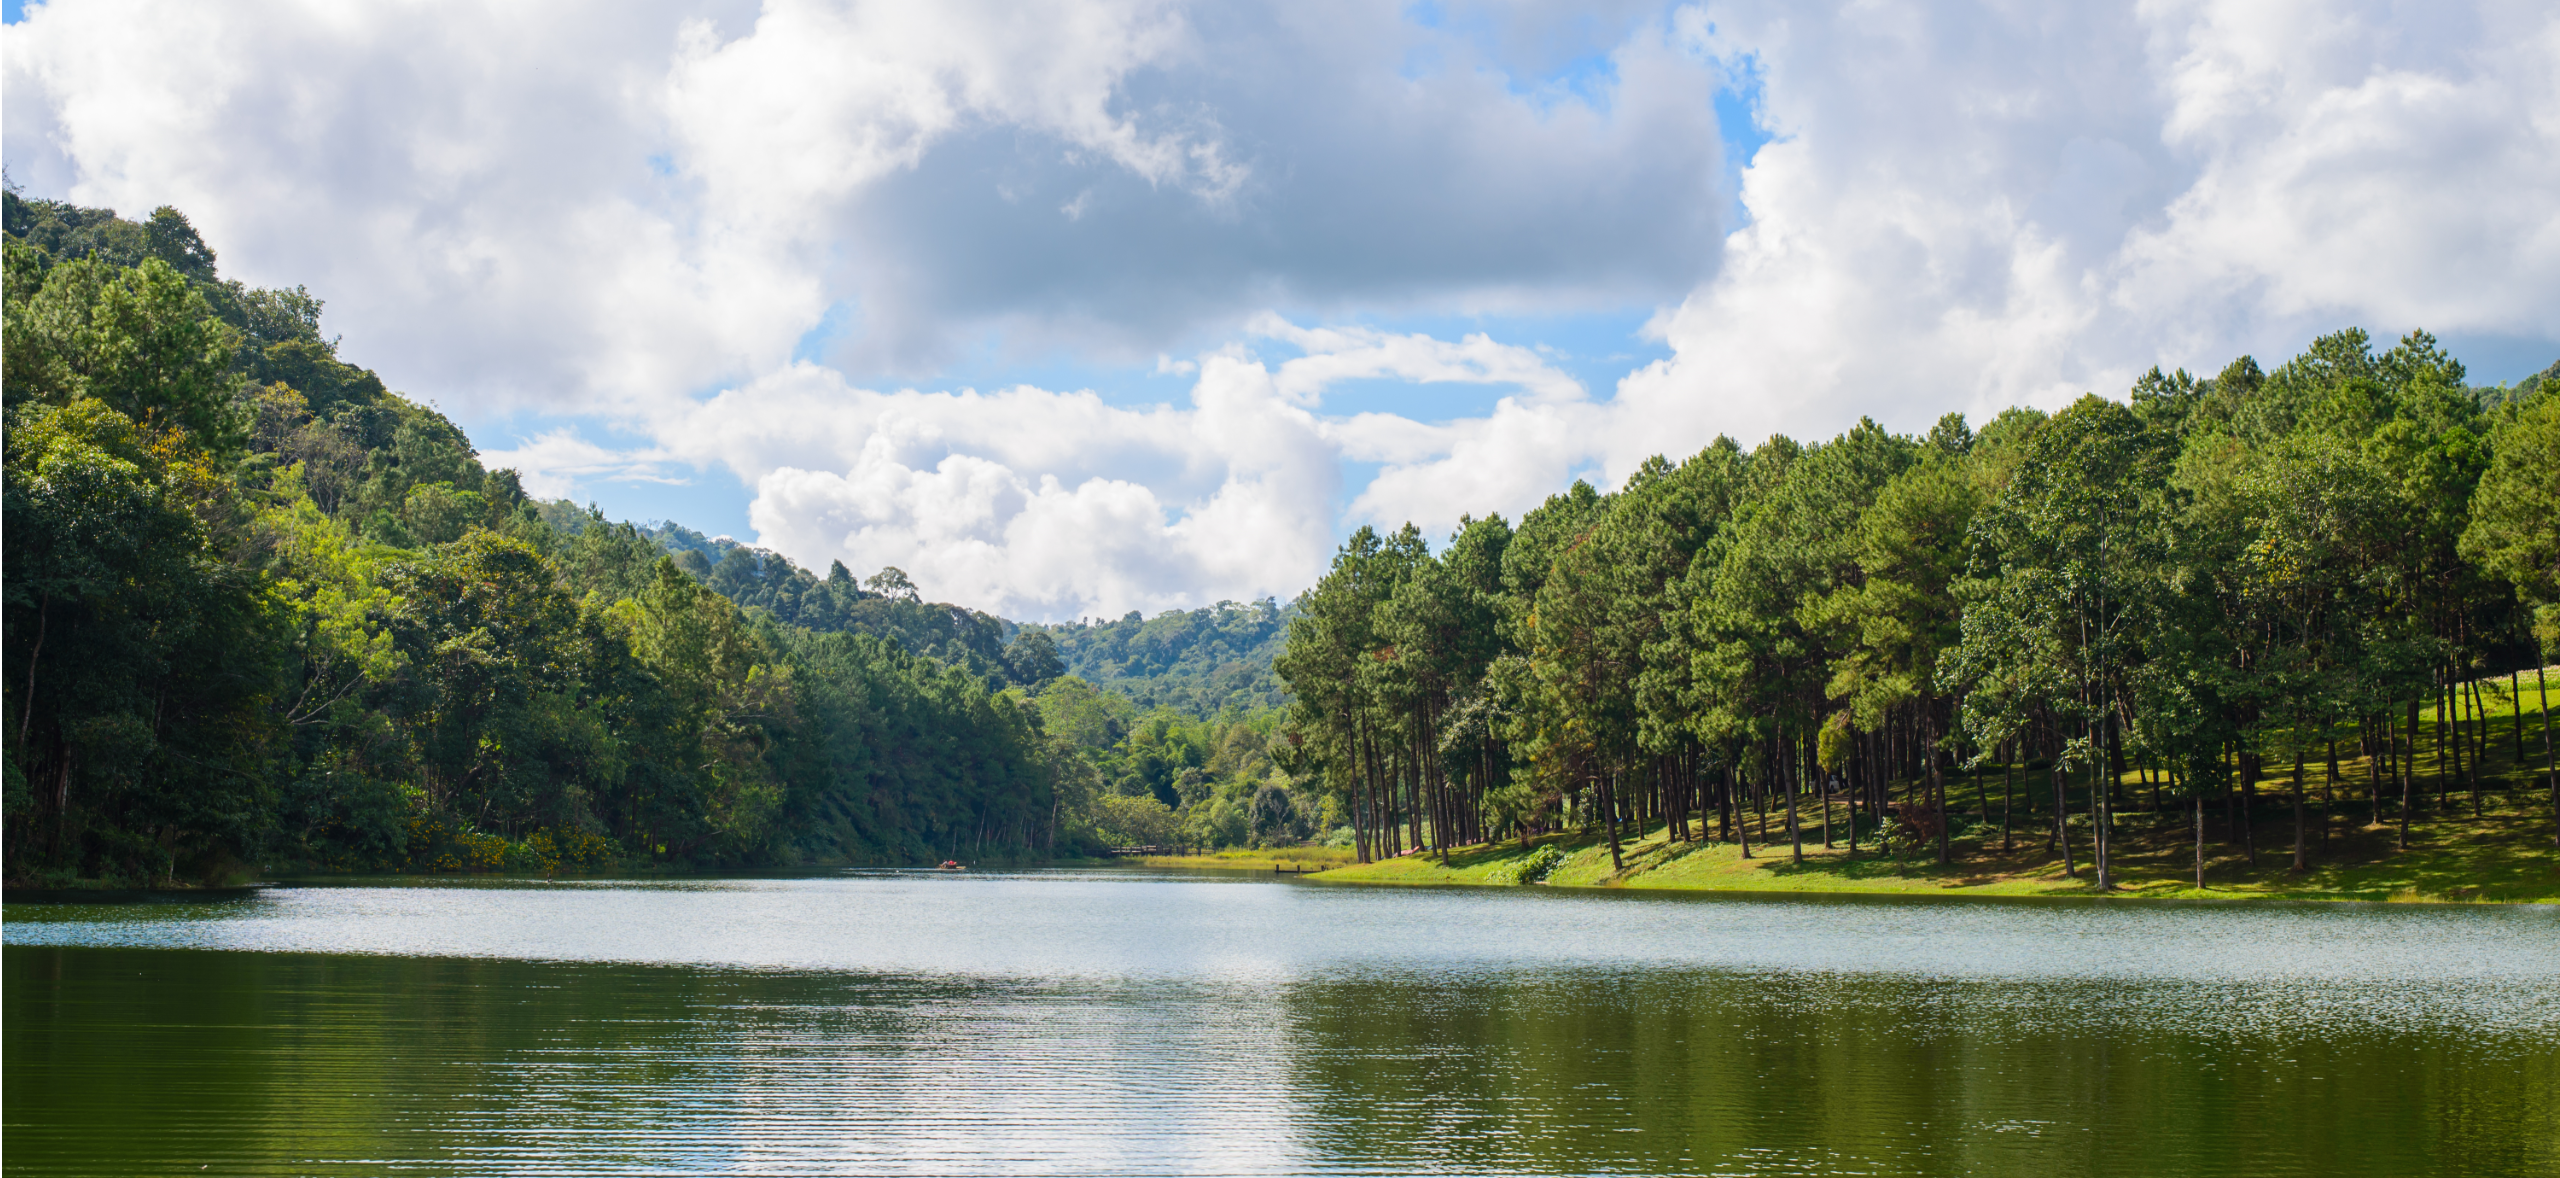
x: 260, y: 611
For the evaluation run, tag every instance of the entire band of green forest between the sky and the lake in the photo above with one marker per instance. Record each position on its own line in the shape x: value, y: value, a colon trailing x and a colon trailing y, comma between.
x: 268, y: 616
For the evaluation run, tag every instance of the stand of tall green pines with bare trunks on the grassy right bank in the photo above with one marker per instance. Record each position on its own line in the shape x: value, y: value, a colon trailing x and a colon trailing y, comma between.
x: 2170, y: 603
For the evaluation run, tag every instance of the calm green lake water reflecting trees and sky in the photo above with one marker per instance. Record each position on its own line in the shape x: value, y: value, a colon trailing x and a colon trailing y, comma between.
x: 1161, y: 1023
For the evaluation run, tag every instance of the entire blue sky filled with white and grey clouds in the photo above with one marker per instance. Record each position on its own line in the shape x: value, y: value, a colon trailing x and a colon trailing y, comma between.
x: 1079, y: 309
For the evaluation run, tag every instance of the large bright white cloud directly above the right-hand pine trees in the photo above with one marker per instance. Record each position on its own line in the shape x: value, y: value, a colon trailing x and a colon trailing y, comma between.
x: 1985, y: 206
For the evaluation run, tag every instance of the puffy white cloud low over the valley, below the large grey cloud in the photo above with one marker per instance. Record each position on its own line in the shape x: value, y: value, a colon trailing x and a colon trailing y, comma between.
x: 1061, y: 506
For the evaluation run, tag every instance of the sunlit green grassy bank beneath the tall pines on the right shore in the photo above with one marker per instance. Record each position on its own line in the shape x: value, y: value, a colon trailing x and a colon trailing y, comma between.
x: 2472, y: 839
